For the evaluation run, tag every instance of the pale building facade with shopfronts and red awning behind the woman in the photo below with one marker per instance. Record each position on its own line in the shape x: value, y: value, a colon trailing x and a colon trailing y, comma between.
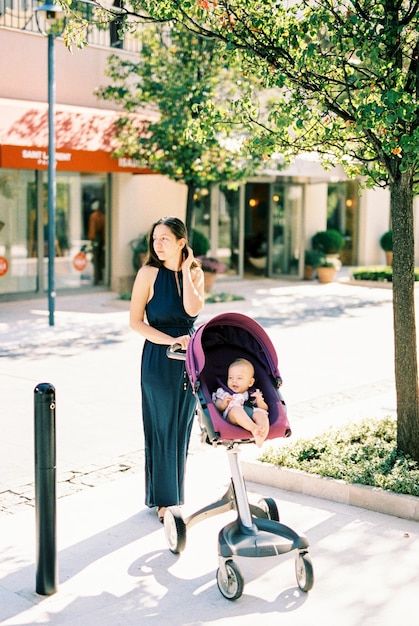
x: 263, y: 227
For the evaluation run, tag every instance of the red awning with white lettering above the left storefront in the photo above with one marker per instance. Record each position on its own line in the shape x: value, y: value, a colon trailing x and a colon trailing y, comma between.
x: 84, y: 138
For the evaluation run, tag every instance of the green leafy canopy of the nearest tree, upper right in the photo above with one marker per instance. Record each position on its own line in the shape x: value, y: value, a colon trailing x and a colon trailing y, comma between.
x: 352, y: 64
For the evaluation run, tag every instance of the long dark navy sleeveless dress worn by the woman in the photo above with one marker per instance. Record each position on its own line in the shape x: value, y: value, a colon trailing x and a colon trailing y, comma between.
x: 168, y: 403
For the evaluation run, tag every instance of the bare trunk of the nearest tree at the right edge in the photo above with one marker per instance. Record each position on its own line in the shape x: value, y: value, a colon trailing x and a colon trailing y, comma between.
x: 406, y: 366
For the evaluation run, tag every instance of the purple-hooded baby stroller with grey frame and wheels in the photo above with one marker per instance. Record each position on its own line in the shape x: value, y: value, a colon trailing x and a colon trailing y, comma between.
x: 256, y: 532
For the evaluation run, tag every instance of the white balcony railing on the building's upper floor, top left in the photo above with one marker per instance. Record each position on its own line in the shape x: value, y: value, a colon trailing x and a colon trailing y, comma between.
x: 20, y: 15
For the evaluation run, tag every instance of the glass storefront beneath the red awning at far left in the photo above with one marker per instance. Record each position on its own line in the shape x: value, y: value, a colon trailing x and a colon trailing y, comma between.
x: 79, y: 260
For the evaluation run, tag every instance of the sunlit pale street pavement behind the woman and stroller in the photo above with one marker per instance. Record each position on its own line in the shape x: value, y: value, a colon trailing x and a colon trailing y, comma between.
x: 320, y: 333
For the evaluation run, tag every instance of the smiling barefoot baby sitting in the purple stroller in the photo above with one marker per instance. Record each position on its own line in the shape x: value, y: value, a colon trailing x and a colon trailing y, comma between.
x: 241, y: 407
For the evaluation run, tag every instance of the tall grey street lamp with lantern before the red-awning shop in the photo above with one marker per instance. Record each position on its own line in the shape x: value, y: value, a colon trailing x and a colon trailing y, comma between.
x: 53, y: 27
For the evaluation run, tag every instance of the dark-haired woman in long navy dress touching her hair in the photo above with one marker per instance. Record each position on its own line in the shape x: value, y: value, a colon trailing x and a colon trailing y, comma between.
x: 167, y: 296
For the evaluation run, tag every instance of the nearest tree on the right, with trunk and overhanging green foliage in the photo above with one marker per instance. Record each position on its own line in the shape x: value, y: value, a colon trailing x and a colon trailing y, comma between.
x: 347, y: 75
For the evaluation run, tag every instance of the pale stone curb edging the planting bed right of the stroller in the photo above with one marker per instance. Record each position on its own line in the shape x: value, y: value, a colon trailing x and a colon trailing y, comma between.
x: 363, y: 496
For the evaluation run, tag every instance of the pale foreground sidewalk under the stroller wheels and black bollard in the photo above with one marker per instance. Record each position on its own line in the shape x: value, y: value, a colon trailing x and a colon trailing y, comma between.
x: 115, y: 568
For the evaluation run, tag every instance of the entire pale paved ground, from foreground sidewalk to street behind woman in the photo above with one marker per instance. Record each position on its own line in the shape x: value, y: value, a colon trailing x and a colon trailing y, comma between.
x: 335, y: 353
